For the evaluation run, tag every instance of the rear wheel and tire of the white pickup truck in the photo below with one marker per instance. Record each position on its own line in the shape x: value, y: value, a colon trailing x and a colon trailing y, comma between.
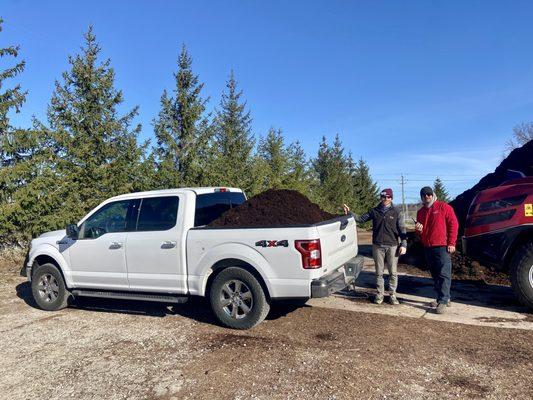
x: 252, y: 297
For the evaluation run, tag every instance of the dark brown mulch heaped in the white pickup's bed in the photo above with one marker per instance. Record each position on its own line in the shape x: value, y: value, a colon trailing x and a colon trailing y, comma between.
x: 273, y: 208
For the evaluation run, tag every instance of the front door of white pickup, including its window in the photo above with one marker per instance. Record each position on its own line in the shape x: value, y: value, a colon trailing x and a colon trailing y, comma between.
x: 97, y: 257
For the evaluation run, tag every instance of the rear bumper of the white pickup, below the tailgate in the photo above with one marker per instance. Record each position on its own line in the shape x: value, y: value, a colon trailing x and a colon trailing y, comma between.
x: 337, y: 280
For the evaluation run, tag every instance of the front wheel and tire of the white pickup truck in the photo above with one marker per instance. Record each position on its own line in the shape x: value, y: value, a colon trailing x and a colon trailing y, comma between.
x: 52, y: 296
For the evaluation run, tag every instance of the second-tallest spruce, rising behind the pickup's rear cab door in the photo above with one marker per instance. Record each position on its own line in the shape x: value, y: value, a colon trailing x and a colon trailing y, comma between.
x: 182, y: 131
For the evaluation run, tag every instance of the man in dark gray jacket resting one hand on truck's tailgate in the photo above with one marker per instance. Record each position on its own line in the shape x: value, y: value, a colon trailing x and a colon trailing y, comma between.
x: 388, y: 228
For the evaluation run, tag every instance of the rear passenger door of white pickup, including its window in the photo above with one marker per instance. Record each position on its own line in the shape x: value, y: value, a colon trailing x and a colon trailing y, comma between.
x: 153, y: 250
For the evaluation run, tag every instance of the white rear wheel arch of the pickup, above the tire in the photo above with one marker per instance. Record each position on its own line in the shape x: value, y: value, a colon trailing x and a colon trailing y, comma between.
x: 235, y: 255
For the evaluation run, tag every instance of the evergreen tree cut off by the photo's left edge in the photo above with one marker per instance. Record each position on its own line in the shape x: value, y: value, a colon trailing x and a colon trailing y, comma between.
x: 26, y: 176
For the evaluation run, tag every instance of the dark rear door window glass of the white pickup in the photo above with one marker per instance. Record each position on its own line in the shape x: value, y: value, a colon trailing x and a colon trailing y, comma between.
x: 158, y: 213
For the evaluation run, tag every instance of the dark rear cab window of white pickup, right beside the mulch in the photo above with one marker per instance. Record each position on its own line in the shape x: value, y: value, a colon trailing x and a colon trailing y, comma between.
x: 210, y: 206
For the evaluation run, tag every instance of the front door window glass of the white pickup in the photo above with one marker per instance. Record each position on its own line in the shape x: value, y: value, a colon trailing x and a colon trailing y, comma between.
x: 110, y: 218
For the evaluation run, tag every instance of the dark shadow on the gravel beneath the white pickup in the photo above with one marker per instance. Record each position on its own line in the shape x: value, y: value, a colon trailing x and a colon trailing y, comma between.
x: 197, y: 308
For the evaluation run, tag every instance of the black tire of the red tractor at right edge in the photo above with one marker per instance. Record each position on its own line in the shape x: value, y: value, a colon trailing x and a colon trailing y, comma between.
x: 521, y: 269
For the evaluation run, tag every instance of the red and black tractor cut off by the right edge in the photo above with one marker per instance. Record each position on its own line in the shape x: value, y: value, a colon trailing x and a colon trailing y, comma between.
x: 499, y: 232
